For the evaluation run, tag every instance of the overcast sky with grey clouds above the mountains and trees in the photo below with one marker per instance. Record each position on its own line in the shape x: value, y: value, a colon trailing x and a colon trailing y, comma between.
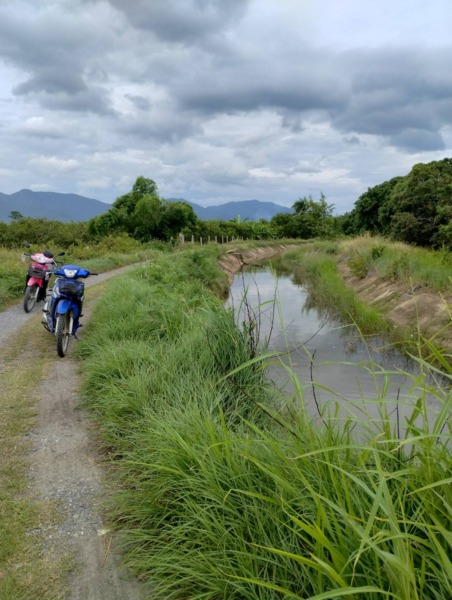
x: 221, y: 100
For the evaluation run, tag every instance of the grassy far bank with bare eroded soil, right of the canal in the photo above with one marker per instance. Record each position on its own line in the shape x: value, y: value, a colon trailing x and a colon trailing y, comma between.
x: 320, y: 266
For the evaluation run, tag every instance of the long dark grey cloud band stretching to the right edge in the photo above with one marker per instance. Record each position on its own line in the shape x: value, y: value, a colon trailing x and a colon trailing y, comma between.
x: 381, y: 92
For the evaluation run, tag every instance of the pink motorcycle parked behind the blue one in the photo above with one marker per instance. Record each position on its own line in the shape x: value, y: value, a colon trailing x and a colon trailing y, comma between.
x: 38, y: 276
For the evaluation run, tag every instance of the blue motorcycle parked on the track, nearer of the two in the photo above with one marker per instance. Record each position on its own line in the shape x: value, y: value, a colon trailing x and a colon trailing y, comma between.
x: 61, y: 315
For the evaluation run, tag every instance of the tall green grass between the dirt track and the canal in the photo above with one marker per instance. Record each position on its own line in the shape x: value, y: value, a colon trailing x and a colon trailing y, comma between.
x: 218, y: 495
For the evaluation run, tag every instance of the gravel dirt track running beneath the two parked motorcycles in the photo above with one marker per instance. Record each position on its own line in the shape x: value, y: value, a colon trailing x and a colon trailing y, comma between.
x: 65, y: 467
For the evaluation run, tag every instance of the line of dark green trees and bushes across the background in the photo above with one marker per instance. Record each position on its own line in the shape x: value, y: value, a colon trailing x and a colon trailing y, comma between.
x: 416, y: 209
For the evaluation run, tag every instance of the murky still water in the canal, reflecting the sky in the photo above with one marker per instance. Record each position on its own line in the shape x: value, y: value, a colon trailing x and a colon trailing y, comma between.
x: 335, y: 369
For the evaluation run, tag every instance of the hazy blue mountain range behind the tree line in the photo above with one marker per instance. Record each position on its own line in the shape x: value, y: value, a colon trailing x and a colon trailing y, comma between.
x: 72, y: 207
